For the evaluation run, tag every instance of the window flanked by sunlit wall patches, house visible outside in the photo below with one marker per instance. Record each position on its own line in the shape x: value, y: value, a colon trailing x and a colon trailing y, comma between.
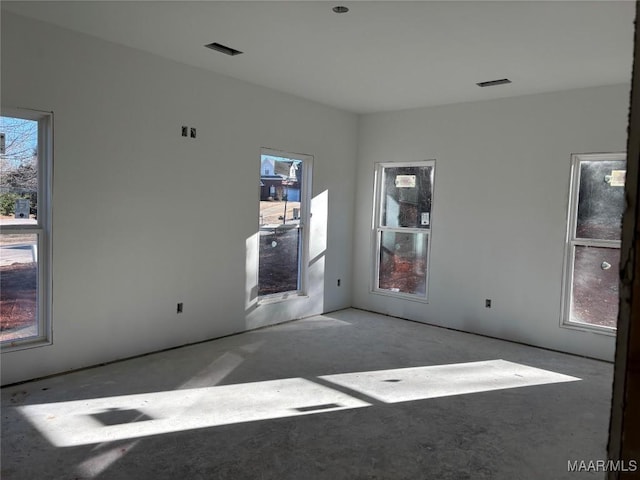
x: 285, y: 189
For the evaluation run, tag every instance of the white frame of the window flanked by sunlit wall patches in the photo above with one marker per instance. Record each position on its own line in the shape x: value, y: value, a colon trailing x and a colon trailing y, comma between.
x: 305, y: 218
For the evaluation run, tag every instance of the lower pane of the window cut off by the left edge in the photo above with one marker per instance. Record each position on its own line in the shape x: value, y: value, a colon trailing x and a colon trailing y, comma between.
x: 18, y: 286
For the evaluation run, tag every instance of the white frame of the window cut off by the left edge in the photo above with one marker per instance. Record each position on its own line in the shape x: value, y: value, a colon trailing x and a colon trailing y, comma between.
x: 42, y: 229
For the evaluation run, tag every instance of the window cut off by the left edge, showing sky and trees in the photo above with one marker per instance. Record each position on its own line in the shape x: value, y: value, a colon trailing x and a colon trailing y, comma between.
x: 25, y: 157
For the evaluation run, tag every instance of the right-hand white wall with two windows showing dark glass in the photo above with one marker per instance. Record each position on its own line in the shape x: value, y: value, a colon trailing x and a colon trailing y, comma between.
x: 500, y: 206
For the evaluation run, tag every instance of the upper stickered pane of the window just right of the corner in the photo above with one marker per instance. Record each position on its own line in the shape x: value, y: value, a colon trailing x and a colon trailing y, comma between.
x: 406, y: 198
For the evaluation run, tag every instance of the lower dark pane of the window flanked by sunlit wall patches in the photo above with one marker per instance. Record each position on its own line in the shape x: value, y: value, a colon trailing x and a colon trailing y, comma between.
x: 279, y: 251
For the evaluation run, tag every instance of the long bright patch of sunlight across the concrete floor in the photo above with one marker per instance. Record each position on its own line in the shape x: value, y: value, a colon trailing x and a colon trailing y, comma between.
x: 109, y: 419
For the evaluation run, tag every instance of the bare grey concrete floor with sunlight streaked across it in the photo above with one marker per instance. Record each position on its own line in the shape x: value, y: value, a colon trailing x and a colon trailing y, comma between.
x: 275, y: 404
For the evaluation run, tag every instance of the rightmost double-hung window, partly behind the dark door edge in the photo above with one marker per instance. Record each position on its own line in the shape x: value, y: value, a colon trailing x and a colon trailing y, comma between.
x: 590, y: 295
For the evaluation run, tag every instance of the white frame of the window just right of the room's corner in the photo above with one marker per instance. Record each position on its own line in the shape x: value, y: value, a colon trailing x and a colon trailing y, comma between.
x: 378, y: 228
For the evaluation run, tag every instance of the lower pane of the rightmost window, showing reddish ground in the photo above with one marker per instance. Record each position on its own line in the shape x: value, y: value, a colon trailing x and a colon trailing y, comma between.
x: 595, y: 286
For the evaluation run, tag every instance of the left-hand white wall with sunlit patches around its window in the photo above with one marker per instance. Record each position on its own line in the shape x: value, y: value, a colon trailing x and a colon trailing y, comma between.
x: 144, y: 218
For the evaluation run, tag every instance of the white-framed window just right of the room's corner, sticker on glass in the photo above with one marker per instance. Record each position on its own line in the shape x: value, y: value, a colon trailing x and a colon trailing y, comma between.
x: 403, y: 228
